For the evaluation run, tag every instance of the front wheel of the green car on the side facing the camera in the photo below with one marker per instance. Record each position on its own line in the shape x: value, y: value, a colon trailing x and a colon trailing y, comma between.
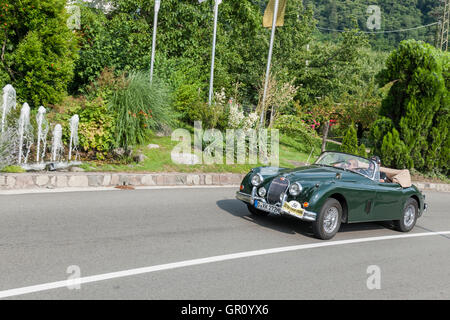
x: 329, y: 220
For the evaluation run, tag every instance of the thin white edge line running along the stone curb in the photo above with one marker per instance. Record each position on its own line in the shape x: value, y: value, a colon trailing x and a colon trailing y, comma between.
x: 95, y: 189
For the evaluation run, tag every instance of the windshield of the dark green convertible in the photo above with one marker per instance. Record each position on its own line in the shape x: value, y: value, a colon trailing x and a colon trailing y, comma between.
x: 348, y: 162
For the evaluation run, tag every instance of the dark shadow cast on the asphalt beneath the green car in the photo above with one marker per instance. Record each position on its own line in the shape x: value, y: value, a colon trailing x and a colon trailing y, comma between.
x: 288, y: 224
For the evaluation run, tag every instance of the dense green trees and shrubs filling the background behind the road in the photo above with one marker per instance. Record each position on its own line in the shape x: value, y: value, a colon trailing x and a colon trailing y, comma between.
x: 342, y: 85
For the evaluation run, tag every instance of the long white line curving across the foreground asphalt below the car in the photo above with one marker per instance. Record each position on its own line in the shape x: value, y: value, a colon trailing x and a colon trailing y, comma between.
x: 194, y: 262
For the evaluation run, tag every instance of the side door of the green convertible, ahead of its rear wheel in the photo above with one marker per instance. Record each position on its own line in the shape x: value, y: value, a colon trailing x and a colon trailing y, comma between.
x: 388, y: 201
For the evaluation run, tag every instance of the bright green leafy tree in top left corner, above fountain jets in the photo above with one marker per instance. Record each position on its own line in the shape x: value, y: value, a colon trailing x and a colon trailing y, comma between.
x: 39, y: 49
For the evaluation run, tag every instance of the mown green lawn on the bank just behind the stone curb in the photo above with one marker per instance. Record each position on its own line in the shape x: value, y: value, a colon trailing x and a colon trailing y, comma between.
x: 292, y: 153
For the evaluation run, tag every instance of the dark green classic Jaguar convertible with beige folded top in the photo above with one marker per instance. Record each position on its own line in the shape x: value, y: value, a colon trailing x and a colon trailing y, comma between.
x: 337, y: 188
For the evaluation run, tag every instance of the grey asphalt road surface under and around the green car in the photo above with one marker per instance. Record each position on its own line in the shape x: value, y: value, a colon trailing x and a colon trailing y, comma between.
x: 41, y: 235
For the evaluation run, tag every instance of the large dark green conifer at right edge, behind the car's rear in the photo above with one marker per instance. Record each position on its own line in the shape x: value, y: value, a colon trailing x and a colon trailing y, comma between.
x: 418, y: 107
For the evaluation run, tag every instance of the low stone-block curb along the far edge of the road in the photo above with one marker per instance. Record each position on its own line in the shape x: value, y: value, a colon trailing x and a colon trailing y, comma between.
x: 52, y: 180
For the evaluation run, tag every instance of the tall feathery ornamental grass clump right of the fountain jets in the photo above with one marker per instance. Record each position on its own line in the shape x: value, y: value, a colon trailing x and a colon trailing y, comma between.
x: 140, y: 108
